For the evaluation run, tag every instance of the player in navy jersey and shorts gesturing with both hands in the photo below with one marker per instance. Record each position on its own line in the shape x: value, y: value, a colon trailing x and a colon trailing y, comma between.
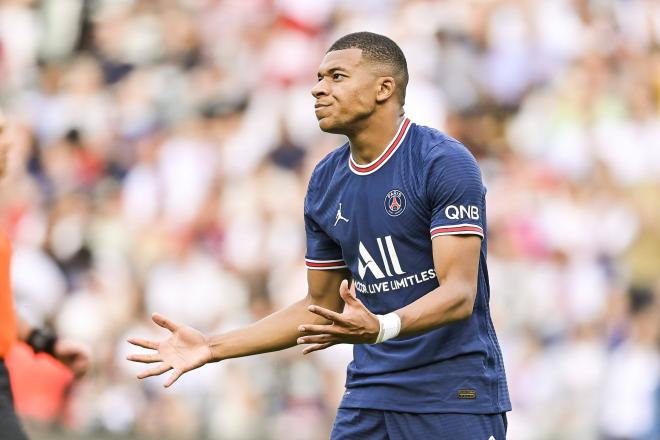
x: 400, y: 209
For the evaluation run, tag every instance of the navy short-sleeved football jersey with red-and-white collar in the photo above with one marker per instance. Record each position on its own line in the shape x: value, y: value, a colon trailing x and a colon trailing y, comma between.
x: 379, y: 220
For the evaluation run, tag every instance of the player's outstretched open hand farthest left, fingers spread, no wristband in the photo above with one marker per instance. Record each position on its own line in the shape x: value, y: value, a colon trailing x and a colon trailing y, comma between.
x: 185, y: 350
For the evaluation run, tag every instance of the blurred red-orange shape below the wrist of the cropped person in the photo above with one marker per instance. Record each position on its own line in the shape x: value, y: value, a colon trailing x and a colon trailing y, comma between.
x: 39, y: 383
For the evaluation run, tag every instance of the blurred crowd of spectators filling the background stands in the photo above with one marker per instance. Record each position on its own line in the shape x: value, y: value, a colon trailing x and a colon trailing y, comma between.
x: 160, y: 155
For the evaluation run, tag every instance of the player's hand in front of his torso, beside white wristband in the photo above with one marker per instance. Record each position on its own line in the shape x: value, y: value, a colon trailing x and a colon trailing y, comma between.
x: 355, y: 325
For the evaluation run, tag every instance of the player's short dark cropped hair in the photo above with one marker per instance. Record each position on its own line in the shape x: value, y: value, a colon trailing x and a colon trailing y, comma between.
x: 378, y: 49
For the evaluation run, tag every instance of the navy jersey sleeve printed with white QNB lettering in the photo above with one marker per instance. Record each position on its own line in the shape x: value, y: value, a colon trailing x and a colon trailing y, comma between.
x: 455, y: 191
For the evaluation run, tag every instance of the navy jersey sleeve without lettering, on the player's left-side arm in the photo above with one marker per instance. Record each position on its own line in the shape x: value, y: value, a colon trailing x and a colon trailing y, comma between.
x: 322, y: 252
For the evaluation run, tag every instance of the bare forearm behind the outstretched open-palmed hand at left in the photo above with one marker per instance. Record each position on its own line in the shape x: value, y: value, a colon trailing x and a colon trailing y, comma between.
x: 275, y: 332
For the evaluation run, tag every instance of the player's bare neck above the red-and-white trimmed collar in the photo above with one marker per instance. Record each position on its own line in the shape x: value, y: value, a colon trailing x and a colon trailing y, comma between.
x: 370, y: 141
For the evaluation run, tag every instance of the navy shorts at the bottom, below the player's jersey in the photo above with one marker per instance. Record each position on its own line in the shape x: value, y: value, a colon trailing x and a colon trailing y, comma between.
x: 369, y: 424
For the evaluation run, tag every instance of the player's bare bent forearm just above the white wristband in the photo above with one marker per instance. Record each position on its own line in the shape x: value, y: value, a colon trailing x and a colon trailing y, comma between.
x: 451, y: 302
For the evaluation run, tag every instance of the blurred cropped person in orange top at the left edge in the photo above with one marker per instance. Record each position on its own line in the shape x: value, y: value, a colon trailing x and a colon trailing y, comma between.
x: 12, y: 327
